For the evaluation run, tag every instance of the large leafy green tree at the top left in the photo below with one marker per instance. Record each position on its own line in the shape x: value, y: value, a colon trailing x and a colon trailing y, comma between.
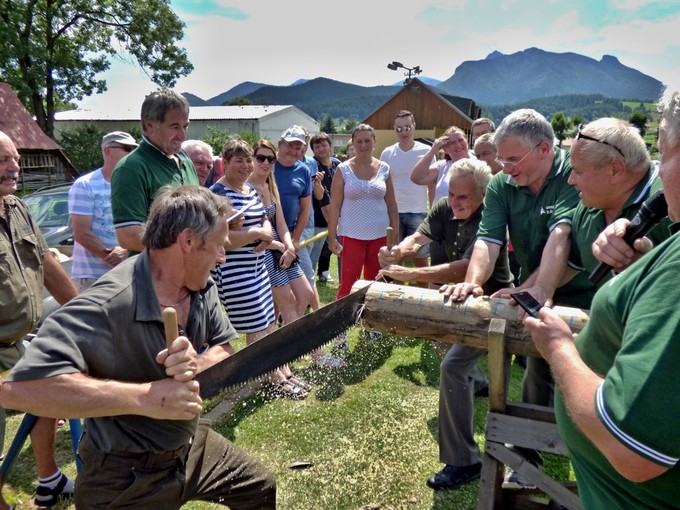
x: 53, y: 50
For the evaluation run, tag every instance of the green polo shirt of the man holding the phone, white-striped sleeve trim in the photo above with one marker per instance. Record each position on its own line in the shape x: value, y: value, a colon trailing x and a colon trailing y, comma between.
x: 631, y: 339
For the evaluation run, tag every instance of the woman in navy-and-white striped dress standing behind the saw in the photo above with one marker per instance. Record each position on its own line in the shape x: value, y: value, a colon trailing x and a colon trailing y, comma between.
x: 242, y: 280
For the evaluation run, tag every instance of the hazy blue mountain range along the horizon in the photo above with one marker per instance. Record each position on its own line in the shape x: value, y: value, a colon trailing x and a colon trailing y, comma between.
x: 498, y: 79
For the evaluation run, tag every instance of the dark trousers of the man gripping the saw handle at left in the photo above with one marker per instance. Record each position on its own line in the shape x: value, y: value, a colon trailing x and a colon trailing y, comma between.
x: 210, y: 469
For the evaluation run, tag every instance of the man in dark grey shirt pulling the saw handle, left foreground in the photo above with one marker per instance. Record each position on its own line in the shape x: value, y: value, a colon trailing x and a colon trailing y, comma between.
x: 144, y: 446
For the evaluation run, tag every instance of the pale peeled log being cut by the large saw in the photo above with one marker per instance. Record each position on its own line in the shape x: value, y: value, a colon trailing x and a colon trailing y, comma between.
x: 424, y: 313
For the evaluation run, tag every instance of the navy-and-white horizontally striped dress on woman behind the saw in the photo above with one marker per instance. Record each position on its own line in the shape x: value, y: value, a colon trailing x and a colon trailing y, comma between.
x: 242, y: 281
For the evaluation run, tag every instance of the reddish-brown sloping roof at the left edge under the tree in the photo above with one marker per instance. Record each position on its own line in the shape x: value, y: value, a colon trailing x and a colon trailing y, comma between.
x: 18, y: 124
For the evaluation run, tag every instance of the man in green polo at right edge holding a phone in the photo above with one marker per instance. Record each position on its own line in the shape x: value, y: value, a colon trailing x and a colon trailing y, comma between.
x: 618, y: 404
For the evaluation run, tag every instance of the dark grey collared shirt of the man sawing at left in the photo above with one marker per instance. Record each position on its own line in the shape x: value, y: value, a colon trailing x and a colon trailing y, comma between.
x: 114, y: 330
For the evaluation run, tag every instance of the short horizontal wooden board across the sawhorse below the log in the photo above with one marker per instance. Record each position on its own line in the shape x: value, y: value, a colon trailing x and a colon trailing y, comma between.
x: 524, y: 433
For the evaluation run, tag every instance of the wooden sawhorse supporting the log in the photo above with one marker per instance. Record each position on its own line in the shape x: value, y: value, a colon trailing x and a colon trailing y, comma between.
x: 522, y: 425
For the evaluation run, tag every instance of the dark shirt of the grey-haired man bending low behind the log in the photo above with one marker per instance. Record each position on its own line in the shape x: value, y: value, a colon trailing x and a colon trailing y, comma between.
x: 458, y: 239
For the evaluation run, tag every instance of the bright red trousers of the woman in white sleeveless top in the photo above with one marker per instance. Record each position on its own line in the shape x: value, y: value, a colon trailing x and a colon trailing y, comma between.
x: 358, y: 255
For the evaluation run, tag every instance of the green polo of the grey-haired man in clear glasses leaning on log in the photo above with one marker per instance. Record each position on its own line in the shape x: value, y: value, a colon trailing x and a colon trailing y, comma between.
x: 528, y: 218
